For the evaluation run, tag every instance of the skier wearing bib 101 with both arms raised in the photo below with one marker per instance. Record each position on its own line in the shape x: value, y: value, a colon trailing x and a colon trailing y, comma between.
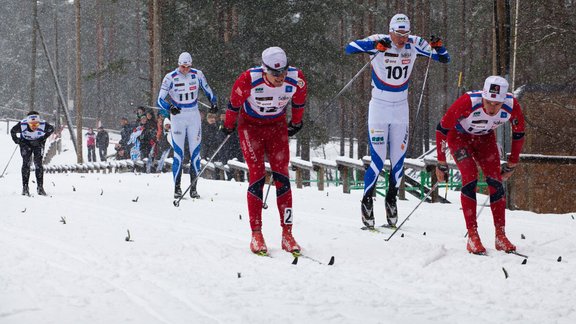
x: 395, y: 55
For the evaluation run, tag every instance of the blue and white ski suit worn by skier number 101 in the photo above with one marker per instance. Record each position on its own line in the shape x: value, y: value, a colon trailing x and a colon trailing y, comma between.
x: 388, y: 112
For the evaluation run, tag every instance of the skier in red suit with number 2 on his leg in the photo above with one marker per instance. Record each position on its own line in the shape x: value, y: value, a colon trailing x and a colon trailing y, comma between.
x: 259, y: 100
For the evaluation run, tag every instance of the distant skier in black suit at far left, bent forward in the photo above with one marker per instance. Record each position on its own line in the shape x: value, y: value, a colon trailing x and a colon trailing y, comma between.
x: 33, y: 134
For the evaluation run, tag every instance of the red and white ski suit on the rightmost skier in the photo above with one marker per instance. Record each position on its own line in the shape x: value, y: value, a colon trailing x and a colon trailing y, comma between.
x: 469, y: 133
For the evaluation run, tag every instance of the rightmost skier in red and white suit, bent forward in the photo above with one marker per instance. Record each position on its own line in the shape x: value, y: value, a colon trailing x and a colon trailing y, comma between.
x: 468, y: 129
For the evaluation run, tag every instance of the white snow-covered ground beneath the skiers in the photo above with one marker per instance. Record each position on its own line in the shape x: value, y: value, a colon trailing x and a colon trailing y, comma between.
x: 192, y: 264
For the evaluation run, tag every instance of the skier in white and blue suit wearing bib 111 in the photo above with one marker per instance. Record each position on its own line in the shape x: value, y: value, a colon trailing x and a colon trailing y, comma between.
x: 179, y: 96
